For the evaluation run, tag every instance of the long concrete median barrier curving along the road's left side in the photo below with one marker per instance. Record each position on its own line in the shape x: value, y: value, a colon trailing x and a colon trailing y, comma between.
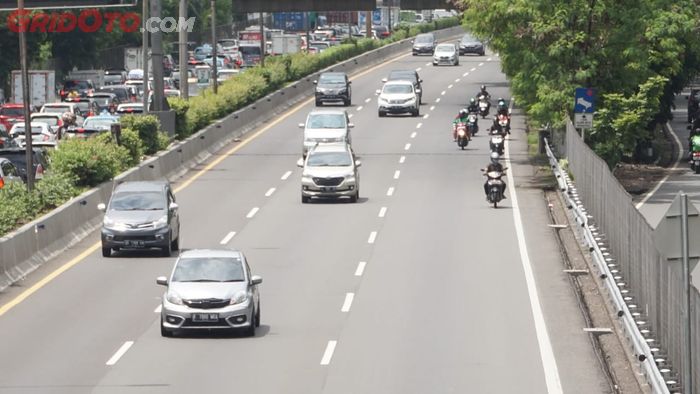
x: 25, y: 249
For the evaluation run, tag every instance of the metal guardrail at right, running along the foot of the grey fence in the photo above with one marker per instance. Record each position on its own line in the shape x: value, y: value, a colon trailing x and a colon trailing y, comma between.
x: 616, y: 292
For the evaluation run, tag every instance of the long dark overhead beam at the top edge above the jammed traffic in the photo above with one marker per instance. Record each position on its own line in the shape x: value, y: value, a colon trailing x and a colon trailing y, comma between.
x: 302, y: 5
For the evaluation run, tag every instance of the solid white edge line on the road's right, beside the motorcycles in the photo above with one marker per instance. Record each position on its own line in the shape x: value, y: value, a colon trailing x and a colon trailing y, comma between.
x: 549, y: 363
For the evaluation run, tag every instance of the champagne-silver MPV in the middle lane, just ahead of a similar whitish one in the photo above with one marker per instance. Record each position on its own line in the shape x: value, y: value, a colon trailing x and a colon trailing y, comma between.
x: 330, y: 170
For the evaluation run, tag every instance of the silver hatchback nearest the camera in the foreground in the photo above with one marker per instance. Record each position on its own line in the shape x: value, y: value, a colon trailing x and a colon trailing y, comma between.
x: 210, y: 289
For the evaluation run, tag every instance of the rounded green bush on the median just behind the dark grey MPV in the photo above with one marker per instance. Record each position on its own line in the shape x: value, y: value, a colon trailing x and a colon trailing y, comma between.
x: 89, y: 162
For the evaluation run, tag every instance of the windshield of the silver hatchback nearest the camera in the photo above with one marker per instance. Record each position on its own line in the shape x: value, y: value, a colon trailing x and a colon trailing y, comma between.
x: 209, y: 269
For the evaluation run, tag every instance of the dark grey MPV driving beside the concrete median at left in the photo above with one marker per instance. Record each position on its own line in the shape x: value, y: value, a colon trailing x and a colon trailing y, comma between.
x: 141, y: 215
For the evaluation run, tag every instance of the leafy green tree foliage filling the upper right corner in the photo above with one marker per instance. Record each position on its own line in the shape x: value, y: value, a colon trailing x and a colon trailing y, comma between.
x: 636, y: 53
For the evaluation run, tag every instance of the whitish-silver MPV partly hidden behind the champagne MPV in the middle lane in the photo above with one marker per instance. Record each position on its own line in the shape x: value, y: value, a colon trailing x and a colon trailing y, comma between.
x: 326, y: 125
